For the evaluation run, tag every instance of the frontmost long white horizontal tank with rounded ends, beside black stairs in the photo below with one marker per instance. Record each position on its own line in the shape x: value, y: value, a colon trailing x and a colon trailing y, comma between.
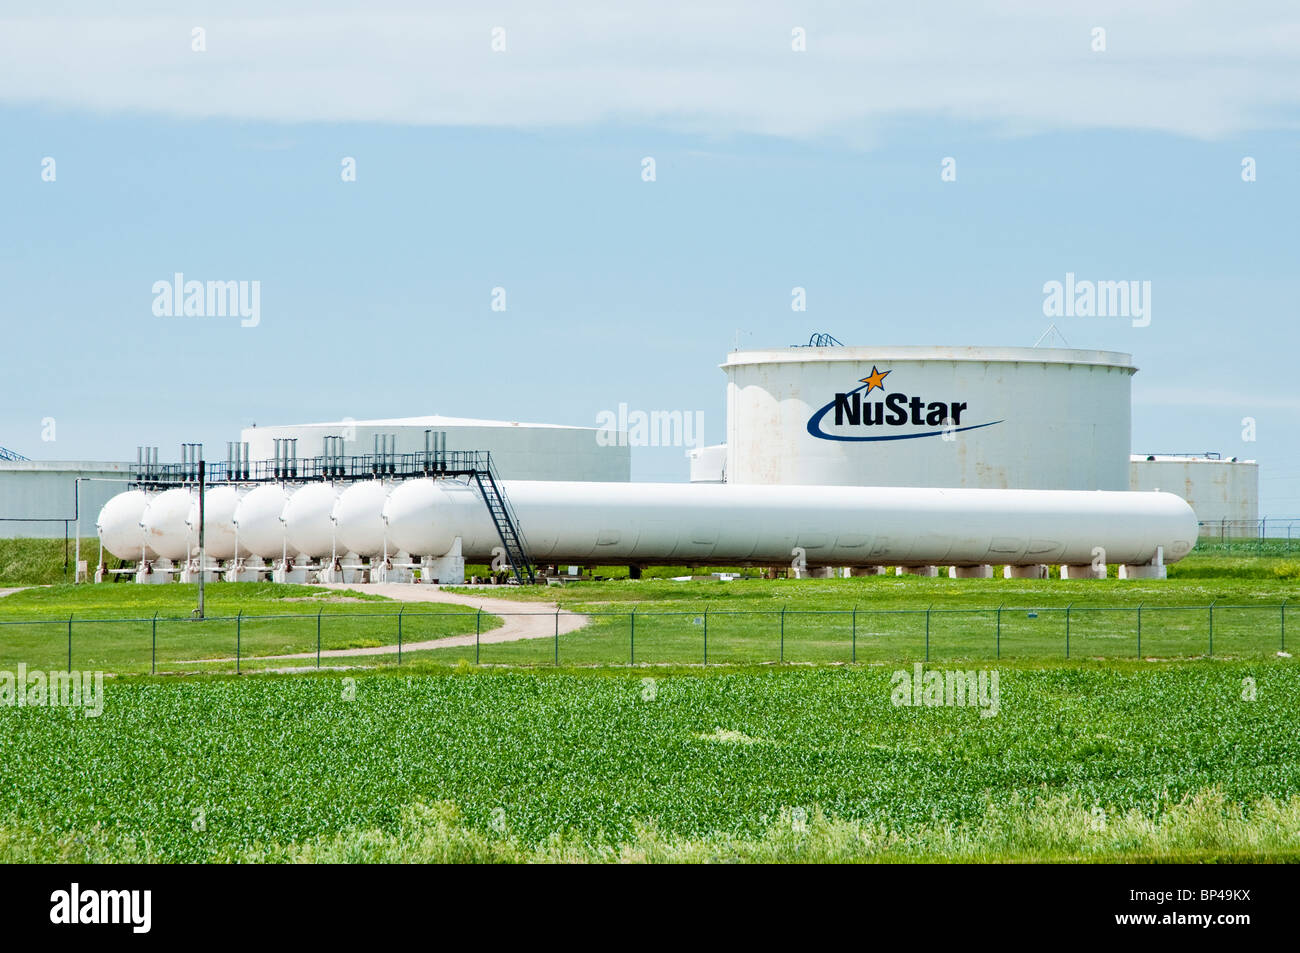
x: 835, y: 526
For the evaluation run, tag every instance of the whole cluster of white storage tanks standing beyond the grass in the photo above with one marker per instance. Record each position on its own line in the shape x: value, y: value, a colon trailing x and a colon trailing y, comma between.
x: 838, y: 461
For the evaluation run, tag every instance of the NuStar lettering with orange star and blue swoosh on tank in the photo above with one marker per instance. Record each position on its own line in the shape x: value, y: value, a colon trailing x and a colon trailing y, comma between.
x: 895, y: 410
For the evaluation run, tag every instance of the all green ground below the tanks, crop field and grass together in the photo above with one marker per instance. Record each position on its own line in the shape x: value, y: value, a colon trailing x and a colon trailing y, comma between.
x: 1104, y: 757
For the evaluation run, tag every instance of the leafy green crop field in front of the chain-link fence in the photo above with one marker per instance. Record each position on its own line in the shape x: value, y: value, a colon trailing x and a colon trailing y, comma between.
x: 1171, y: 763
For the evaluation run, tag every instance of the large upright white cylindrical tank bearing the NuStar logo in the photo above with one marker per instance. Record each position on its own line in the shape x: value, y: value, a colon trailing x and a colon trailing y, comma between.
x: 980, y: 418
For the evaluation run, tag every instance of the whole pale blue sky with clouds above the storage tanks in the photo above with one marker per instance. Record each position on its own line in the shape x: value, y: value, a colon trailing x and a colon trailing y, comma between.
x: 376, y: 294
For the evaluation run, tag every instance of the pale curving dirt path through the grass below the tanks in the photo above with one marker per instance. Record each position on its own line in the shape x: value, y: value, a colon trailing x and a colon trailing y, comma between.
x: 521, y: 621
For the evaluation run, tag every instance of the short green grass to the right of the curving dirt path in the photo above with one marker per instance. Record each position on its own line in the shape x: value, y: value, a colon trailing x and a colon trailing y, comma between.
x: 878, y: 618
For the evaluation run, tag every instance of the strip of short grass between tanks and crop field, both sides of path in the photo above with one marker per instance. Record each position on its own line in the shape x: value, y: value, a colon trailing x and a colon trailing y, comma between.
x: 665, y: 622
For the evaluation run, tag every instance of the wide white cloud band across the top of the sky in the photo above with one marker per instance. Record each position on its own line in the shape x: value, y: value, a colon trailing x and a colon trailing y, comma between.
x: 1206, y: 71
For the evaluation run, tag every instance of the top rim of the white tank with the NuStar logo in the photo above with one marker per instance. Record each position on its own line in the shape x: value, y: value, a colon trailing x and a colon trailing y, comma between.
x: 985, y: 356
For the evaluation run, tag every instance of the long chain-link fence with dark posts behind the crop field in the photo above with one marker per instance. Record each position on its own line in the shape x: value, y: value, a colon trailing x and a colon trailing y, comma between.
x: 636, y: 636
